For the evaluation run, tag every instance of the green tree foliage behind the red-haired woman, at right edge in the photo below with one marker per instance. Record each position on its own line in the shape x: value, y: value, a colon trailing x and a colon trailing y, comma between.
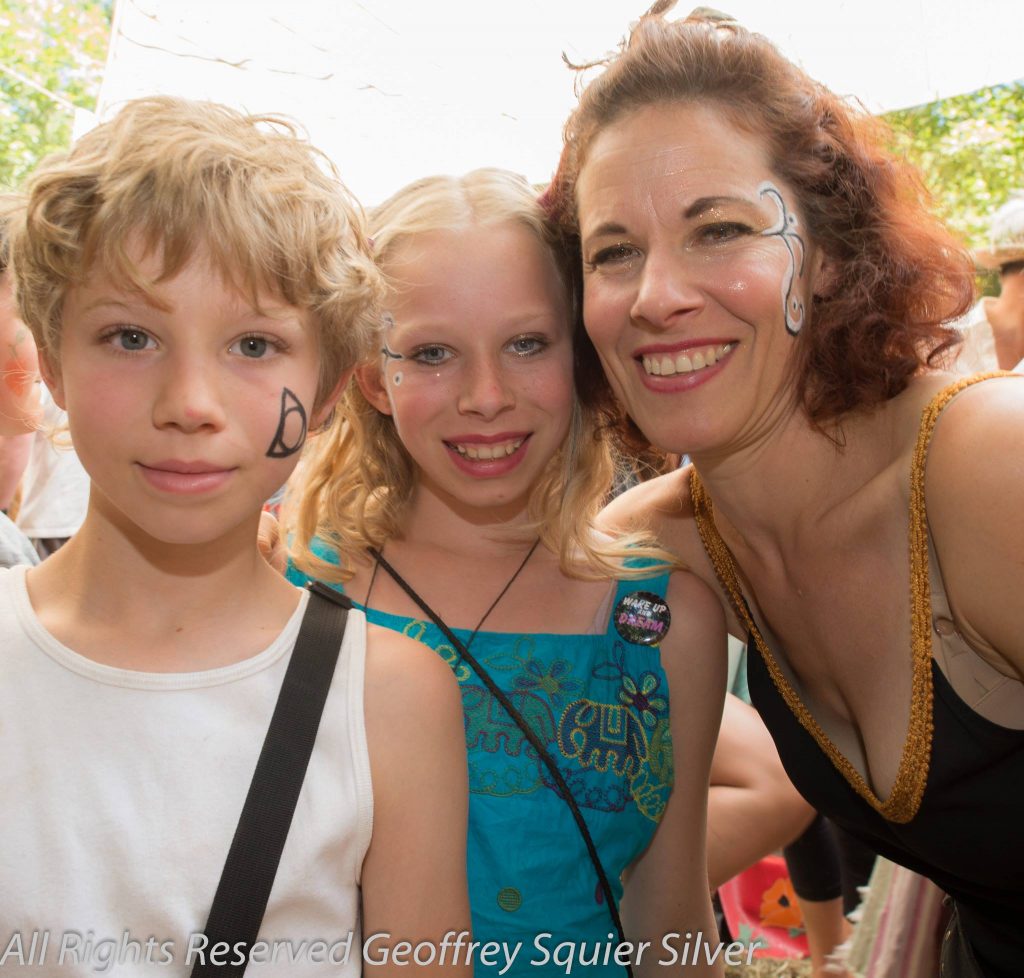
x: 971, y: 152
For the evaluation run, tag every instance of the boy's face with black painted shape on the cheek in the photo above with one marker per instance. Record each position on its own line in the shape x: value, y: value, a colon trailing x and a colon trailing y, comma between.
x: 189, y: 417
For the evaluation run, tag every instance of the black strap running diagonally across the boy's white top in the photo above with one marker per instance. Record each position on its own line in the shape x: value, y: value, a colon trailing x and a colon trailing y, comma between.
x: 267, y: 817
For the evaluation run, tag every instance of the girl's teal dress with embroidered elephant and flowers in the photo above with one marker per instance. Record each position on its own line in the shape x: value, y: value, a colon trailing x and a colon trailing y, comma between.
x: 601, y: 705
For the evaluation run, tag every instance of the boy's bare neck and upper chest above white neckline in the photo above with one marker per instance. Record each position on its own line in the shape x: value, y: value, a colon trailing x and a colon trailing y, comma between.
x: 143, y: 605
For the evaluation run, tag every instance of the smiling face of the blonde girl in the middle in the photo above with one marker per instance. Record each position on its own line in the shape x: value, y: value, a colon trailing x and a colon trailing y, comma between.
x: 477, y: 363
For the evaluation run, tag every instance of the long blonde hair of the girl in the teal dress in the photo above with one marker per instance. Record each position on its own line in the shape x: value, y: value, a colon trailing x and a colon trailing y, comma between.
x: 359, y: 477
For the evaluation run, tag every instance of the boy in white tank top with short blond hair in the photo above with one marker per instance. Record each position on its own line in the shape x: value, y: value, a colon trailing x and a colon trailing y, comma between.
x: 199, y: 286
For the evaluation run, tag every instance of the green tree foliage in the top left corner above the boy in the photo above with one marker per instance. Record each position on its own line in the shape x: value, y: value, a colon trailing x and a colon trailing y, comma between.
x: 52, y: 62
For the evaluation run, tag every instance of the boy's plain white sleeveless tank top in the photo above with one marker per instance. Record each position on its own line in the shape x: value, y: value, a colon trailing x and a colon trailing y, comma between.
x: 122, y: 792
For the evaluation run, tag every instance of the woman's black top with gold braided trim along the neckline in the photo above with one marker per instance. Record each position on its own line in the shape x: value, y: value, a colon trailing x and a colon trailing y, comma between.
x: 962, y: 826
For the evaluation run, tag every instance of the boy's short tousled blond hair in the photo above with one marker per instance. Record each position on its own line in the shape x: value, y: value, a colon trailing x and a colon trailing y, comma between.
x: 170, y: 177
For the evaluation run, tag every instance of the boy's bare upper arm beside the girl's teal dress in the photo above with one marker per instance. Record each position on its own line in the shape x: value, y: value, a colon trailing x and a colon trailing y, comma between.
x: 414, y: 876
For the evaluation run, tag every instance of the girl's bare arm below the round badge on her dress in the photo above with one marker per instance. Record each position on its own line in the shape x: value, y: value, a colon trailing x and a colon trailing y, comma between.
x: 667, y: 888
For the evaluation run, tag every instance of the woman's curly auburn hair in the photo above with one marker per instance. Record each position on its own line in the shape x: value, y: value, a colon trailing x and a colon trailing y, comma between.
x: 898, y: 275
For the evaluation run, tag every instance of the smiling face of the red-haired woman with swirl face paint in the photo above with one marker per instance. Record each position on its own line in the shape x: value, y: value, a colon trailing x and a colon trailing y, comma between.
x: 698, y: 276
